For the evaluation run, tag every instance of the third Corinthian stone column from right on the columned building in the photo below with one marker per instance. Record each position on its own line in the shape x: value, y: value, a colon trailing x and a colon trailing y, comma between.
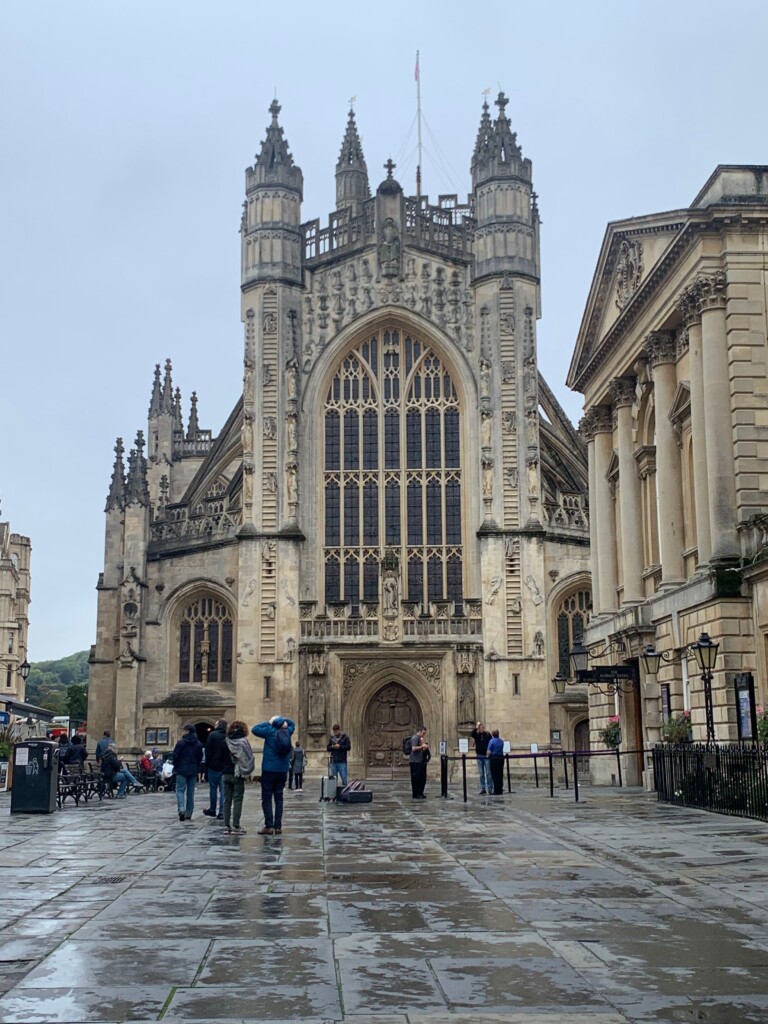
x: 662, y: 353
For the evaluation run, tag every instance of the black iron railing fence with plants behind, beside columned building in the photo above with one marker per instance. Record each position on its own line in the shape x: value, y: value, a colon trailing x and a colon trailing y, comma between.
x: 728, y: 780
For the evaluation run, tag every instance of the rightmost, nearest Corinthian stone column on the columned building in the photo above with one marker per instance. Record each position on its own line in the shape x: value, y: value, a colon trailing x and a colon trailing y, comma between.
x: 718, y: 428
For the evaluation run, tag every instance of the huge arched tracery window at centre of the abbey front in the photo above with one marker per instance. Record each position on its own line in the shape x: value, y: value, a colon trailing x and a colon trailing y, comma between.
x: 393, y: 473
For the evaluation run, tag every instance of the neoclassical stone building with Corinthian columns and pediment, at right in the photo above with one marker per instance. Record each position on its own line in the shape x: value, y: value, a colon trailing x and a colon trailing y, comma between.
x: 671, y: 359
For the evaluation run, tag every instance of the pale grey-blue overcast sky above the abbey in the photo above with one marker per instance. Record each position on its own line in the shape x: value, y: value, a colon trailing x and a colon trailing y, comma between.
x: 126, y: 130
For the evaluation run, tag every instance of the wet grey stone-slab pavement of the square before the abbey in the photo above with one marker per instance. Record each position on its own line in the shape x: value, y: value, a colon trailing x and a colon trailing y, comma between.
x: 520, y: 910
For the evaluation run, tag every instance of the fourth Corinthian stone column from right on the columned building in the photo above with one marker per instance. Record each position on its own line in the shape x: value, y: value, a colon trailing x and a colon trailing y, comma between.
x: 623, y: 393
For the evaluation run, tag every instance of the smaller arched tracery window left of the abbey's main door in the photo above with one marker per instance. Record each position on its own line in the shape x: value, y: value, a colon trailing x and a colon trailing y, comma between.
x: 205, y: 642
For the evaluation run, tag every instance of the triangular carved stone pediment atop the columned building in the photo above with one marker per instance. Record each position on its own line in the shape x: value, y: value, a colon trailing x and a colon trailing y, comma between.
x: 635, y: 257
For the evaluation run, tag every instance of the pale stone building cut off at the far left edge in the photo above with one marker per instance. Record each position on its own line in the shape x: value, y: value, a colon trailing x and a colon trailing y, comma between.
x: 15, y: 604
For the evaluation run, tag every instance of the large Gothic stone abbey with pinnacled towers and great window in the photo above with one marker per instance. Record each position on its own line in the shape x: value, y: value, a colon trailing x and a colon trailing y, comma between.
x: 393, y: 526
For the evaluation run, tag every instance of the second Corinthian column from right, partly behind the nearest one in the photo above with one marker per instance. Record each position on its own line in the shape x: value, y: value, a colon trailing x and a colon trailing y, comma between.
x: 692, y: 313
